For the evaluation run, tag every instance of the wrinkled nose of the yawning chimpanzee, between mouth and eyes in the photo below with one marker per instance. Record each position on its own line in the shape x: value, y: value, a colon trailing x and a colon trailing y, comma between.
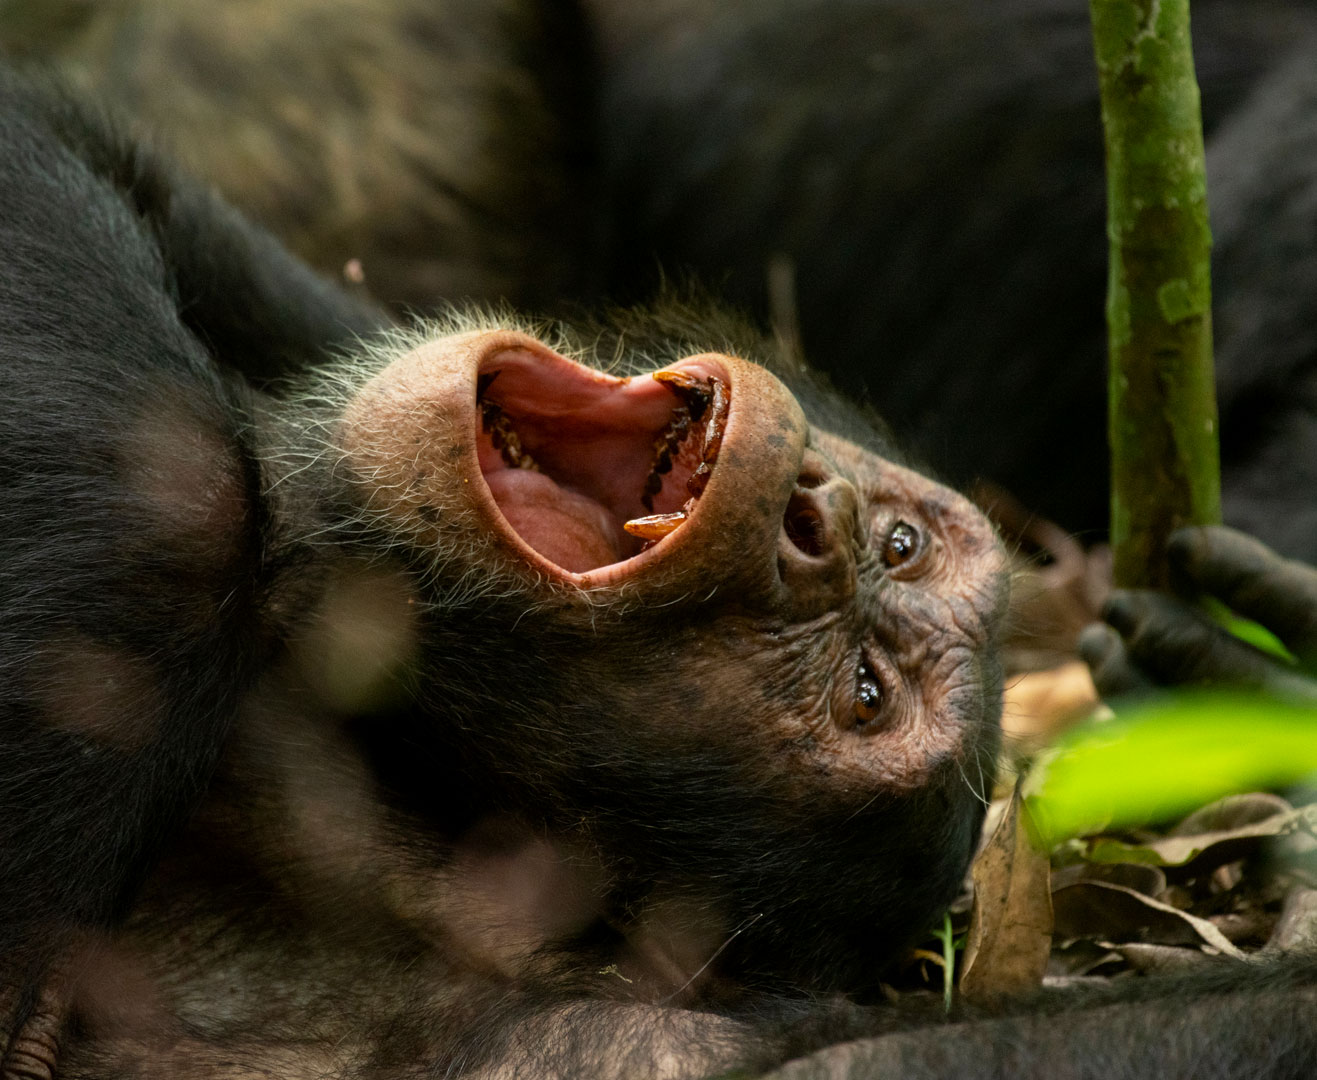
x: 820, y: 542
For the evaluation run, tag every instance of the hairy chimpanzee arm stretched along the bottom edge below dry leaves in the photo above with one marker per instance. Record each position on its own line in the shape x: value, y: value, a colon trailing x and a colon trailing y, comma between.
x: 1218, y: 1024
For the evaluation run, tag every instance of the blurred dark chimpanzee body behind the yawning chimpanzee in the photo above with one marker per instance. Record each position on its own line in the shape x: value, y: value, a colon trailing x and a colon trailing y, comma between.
x: 912, y: 186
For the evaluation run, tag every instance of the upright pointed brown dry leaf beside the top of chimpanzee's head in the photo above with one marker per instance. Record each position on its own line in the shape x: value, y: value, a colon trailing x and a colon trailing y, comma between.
x: 1011, y: 928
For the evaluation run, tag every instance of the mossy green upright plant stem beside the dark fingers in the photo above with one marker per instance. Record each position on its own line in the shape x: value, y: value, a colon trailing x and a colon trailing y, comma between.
x: 1164, y: 413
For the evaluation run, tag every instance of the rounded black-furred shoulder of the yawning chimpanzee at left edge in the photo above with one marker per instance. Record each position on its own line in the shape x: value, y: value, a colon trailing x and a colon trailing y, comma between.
x: 98, y: 372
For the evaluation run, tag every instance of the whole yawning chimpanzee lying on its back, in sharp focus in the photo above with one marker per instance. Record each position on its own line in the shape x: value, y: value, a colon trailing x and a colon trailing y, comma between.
x: 429, y: 703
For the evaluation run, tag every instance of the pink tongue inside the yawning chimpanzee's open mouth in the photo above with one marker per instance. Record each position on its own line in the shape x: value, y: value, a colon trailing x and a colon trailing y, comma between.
x: 567, y: 527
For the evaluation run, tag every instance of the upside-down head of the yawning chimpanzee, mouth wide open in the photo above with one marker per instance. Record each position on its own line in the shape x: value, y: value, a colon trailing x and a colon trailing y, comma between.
x: 666, y: 612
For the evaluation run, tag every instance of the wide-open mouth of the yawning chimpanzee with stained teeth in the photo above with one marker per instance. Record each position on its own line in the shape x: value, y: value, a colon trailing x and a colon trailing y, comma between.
x: 589, y: 470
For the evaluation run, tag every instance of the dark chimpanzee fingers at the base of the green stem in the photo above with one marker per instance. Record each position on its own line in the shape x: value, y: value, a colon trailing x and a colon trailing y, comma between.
x: 1153, y: 639
